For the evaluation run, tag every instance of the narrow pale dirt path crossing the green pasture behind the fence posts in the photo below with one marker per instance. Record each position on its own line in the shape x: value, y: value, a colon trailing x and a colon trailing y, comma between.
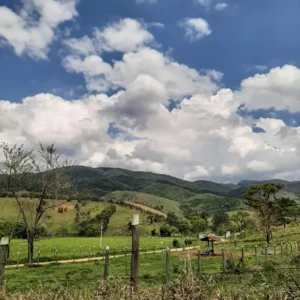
x: 79, y: 260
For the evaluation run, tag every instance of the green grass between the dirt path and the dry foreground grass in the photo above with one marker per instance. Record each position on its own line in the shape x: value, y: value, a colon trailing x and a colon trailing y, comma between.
x: 152, y: 272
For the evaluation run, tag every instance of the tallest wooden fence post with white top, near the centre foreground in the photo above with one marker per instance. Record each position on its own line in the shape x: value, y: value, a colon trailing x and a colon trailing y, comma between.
x: 134, y: 278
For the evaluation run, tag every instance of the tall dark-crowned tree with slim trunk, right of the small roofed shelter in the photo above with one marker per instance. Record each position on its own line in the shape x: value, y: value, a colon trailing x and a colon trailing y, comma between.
x: 263, y: 198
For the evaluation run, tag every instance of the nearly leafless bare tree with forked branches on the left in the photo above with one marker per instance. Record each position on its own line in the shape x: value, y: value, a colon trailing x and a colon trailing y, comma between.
x: 44, y: 175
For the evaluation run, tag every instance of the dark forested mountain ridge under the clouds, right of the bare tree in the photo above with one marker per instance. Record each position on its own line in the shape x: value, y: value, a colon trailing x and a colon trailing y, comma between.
x: 98, y: 182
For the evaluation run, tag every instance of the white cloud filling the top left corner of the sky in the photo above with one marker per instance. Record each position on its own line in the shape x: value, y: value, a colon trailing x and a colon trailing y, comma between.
x: 27, y: 35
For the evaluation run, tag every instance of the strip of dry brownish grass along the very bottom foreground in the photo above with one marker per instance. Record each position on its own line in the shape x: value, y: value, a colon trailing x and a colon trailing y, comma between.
x: 185, y: 288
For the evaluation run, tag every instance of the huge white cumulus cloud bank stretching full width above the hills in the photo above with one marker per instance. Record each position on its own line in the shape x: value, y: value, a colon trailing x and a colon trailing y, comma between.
x: 203, y: 137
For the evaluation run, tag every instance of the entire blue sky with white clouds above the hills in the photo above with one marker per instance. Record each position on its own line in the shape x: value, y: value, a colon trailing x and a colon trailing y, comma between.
x: 197, y: 89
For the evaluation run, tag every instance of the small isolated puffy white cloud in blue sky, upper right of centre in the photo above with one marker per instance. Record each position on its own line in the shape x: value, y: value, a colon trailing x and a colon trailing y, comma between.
x: 195, y: 28
